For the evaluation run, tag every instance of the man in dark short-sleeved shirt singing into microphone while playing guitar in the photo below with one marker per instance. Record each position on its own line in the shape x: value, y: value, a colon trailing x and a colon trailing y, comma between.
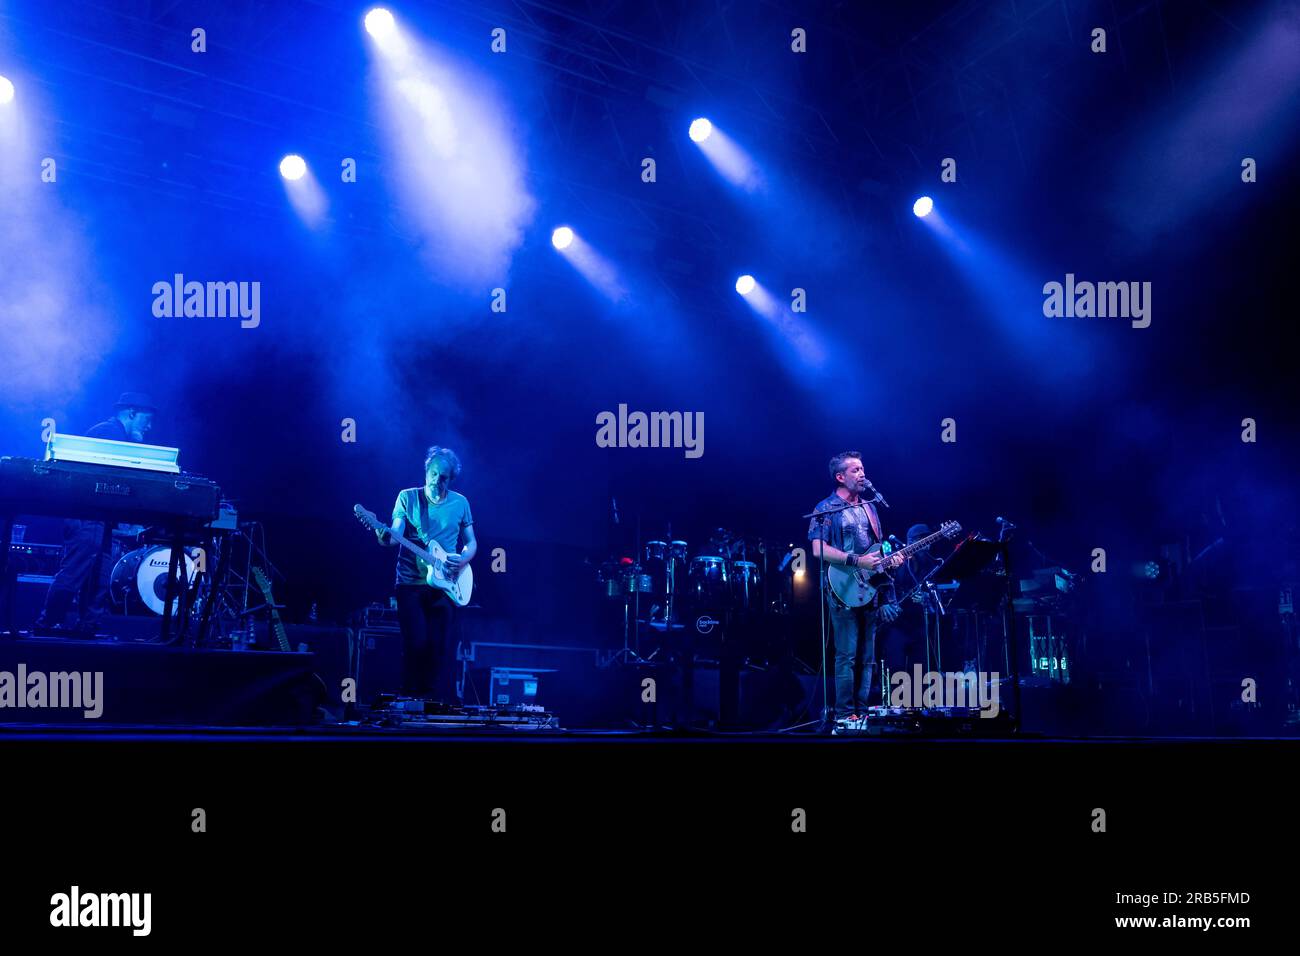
x: 844, y: 538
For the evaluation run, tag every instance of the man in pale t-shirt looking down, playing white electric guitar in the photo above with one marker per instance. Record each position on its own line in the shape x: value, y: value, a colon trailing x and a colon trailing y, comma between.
x: 432, y: 513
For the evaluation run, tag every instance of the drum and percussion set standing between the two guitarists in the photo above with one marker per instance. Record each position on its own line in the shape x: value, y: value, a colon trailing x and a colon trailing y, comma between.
x: 669, y: 589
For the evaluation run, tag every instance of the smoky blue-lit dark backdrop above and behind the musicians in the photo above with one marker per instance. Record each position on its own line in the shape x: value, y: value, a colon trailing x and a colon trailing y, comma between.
x: 1124, y: 166
